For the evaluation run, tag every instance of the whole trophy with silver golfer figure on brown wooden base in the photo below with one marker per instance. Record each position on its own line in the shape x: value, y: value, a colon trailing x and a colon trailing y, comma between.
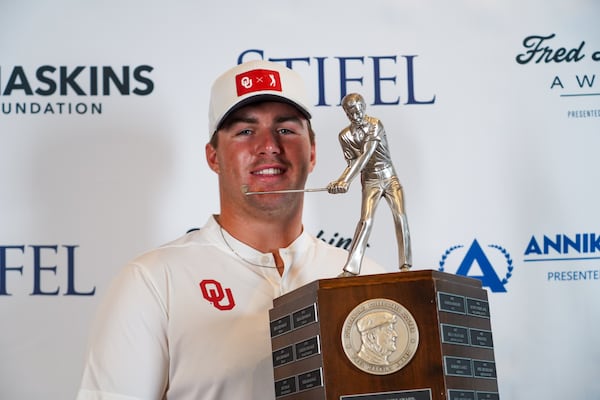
x: 408, y: 335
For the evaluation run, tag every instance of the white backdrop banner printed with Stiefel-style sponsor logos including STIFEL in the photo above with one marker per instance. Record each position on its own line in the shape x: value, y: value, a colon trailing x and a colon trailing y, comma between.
x: 492, y: 111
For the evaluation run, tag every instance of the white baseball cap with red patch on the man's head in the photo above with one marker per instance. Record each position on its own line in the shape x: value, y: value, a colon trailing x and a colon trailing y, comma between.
x: 254, y: 81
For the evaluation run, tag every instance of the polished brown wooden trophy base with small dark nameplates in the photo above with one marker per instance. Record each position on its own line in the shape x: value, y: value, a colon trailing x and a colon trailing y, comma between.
x: 421, y: 335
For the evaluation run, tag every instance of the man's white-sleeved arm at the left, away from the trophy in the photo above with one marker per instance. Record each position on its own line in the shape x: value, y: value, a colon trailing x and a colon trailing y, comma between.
x: 128, y: 354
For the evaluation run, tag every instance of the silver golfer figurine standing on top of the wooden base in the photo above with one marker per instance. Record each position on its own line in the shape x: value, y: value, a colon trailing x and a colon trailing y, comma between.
x: 366, y: 151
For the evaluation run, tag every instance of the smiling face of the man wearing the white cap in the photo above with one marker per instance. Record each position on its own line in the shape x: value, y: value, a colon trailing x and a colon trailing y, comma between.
x: 262, y: 146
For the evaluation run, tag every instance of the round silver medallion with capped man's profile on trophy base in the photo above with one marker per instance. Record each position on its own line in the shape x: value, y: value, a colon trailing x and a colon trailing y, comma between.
x: 380, y: 336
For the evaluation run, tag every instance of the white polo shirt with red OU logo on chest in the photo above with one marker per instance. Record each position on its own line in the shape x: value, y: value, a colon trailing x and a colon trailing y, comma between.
x: 190, y: 319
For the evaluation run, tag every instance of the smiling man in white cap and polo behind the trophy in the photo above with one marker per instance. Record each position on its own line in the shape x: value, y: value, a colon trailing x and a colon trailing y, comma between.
x: 189, y: 320
